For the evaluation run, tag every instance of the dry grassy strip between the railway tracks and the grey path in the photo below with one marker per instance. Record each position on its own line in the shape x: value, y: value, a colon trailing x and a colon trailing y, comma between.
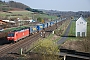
x: 58, y: 32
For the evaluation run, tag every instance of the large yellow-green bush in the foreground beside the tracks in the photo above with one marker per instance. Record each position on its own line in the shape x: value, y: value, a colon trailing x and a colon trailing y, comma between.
x: 47, y: 48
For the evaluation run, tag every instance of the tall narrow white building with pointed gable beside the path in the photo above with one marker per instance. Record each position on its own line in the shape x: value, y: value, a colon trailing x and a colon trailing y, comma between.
x: 81, y: 27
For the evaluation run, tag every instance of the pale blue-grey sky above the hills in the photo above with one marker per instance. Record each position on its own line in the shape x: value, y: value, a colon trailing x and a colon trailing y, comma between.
x: 61, y: 5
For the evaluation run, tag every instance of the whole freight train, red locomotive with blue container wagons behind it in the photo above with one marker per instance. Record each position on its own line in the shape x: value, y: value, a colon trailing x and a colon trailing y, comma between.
x: 22, y: 33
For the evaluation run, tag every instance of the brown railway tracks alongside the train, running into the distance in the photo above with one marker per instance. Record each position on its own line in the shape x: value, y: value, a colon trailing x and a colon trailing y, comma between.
x: 24, y: 43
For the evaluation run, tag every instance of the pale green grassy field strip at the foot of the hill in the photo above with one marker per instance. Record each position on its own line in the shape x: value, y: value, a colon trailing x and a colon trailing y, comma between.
x: 25, y: 14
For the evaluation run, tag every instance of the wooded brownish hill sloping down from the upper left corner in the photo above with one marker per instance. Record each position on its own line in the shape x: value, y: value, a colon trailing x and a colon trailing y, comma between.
x: 15, y: 6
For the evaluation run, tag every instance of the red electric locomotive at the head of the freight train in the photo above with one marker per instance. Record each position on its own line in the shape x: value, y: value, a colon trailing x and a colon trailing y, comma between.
x: 17, y: 35
